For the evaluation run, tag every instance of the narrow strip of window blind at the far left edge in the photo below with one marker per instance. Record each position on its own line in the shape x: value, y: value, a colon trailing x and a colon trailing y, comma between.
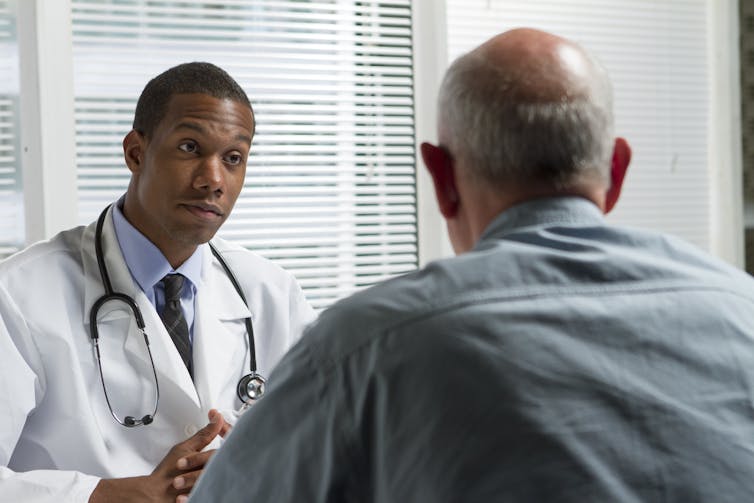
x: 11, y: 196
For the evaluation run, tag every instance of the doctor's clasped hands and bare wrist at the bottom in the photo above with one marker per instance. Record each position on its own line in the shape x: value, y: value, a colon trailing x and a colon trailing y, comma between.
x: 173, y: 478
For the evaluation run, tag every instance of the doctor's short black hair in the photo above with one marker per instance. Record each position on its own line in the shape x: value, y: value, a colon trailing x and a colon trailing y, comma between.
x: 187, y: 78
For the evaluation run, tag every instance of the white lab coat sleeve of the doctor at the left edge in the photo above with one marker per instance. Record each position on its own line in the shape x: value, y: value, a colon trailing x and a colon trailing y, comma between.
x: 21, y: 383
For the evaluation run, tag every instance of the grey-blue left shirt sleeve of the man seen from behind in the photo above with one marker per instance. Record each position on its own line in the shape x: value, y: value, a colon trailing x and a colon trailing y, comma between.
x: 287, y: 447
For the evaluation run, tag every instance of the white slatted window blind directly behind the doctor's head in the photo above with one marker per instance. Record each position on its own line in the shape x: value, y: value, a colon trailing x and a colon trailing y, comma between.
x: 330, y: 190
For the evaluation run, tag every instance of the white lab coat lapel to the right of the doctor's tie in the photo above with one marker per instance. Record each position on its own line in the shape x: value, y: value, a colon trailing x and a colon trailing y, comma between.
x: 219, y: 333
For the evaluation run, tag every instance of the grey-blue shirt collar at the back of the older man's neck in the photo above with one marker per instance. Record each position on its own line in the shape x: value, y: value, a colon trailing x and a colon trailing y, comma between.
x: 562, y: 210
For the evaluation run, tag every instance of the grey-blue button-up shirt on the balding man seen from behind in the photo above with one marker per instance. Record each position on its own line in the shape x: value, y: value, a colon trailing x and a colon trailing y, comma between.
x: 561, y: 360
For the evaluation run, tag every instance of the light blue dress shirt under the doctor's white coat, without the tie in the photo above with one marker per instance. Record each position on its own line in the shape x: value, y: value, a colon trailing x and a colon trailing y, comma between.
x: 148, y: 266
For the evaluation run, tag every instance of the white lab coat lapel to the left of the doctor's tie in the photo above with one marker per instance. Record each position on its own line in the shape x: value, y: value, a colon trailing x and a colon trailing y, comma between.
x: 171, y: 372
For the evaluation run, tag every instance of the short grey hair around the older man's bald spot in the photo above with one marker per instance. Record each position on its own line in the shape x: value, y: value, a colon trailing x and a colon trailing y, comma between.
x: 507, y: 138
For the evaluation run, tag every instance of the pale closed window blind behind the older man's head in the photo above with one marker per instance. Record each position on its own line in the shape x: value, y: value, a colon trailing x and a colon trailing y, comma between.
x: 656, y: 54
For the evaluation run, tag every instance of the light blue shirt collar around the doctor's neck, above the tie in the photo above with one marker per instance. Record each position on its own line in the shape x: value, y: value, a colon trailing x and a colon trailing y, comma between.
x: 145, y: 261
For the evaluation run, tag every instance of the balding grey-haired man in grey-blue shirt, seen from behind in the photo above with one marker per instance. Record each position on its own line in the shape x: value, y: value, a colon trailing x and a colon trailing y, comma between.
x: 556, y: 358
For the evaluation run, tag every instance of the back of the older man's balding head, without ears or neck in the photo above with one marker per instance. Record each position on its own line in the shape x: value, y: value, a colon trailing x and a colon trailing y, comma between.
x: 528, y: 108
